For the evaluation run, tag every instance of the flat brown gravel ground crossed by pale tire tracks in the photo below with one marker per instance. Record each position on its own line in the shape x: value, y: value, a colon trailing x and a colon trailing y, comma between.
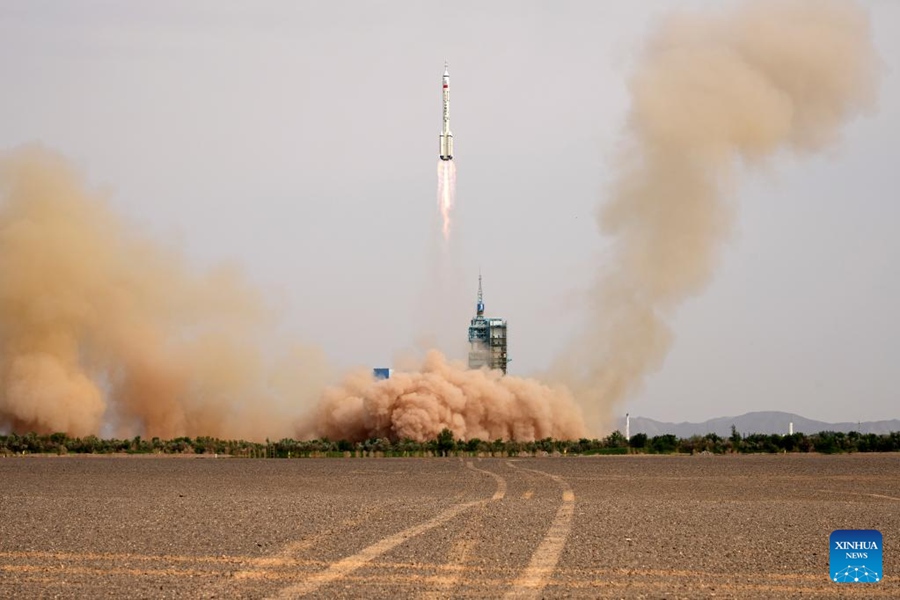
x: 592, y: 527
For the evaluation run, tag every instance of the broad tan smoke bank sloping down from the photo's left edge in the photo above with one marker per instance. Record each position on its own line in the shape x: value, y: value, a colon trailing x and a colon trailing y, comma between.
x: 99, y: 327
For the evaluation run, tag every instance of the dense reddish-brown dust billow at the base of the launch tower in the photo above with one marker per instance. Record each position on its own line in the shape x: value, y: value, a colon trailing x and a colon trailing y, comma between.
x: 473, y: 404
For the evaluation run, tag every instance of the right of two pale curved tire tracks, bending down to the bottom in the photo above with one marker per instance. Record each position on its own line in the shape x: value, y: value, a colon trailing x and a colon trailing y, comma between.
x: 545, y: 558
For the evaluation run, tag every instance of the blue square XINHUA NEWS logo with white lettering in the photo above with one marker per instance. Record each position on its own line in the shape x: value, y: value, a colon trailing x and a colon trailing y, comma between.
x: 855, y: 556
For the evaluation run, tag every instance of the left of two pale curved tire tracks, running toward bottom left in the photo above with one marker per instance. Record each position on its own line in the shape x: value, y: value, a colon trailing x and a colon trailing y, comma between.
x: 349, y: 564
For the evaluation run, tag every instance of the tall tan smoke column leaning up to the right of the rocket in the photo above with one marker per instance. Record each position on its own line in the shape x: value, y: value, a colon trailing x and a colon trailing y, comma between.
x: 710, y: 93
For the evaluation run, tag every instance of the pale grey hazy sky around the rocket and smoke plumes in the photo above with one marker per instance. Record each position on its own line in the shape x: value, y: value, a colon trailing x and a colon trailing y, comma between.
x: 299, y: 140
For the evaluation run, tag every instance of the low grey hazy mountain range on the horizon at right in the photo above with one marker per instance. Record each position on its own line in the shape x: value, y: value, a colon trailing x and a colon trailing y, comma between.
x: 756, y: 422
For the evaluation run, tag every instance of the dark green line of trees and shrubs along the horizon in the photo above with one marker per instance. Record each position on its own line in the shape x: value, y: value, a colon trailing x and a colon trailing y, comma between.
x: 446, y: 444
